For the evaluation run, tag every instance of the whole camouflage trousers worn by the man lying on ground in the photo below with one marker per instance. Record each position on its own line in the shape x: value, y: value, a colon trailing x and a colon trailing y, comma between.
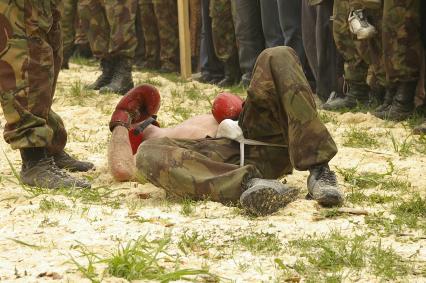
x: 279, y: 109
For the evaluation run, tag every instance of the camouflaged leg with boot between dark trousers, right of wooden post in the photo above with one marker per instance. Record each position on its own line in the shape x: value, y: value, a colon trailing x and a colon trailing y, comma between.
x: 224, y: 41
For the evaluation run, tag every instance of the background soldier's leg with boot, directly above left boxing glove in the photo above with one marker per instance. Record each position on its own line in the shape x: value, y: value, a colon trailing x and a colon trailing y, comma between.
x: 121, y: 17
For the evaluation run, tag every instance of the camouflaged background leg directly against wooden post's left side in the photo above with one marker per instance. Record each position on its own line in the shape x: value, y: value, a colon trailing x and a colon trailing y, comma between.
x: 166, y: 13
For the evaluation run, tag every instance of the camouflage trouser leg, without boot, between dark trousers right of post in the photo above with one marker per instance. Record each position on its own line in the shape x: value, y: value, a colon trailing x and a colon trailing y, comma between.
x: 223, y: 30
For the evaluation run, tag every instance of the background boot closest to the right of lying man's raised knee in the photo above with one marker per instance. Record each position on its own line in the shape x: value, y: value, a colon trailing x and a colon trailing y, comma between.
x: 358, y: 95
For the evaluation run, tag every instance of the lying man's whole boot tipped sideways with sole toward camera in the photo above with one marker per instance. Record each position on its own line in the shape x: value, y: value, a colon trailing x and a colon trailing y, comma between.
x: 263, y: 196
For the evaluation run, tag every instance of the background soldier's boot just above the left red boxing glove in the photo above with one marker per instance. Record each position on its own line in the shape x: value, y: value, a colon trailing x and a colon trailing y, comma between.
x: 122, y: 80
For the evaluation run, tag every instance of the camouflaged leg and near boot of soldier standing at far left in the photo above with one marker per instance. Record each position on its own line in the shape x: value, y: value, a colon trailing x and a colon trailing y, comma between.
x: 26, y: 98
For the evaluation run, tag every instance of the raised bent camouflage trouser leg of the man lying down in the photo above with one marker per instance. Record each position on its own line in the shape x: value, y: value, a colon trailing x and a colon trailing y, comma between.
x: 280, y: 109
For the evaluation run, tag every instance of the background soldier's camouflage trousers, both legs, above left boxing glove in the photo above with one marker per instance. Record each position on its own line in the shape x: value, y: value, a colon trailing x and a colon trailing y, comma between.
x: 110, y: 26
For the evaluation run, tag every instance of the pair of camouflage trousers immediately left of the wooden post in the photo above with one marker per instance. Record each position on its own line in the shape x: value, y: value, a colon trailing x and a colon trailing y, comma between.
x: 160, y: 27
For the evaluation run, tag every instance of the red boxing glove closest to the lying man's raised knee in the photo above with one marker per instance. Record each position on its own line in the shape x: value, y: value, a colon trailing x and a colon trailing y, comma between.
x: 227, y: 106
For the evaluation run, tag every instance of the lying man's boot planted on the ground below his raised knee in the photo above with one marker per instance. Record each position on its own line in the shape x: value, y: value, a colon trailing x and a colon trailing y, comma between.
x: 323, y: 187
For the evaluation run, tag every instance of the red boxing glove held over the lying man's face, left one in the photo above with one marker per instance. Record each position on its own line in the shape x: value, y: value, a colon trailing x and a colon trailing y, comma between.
x: 137, y: 105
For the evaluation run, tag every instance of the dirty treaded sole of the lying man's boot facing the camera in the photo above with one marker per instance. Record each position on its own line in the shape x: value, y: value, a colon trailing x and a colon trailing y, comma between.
x: 261, y: 200
